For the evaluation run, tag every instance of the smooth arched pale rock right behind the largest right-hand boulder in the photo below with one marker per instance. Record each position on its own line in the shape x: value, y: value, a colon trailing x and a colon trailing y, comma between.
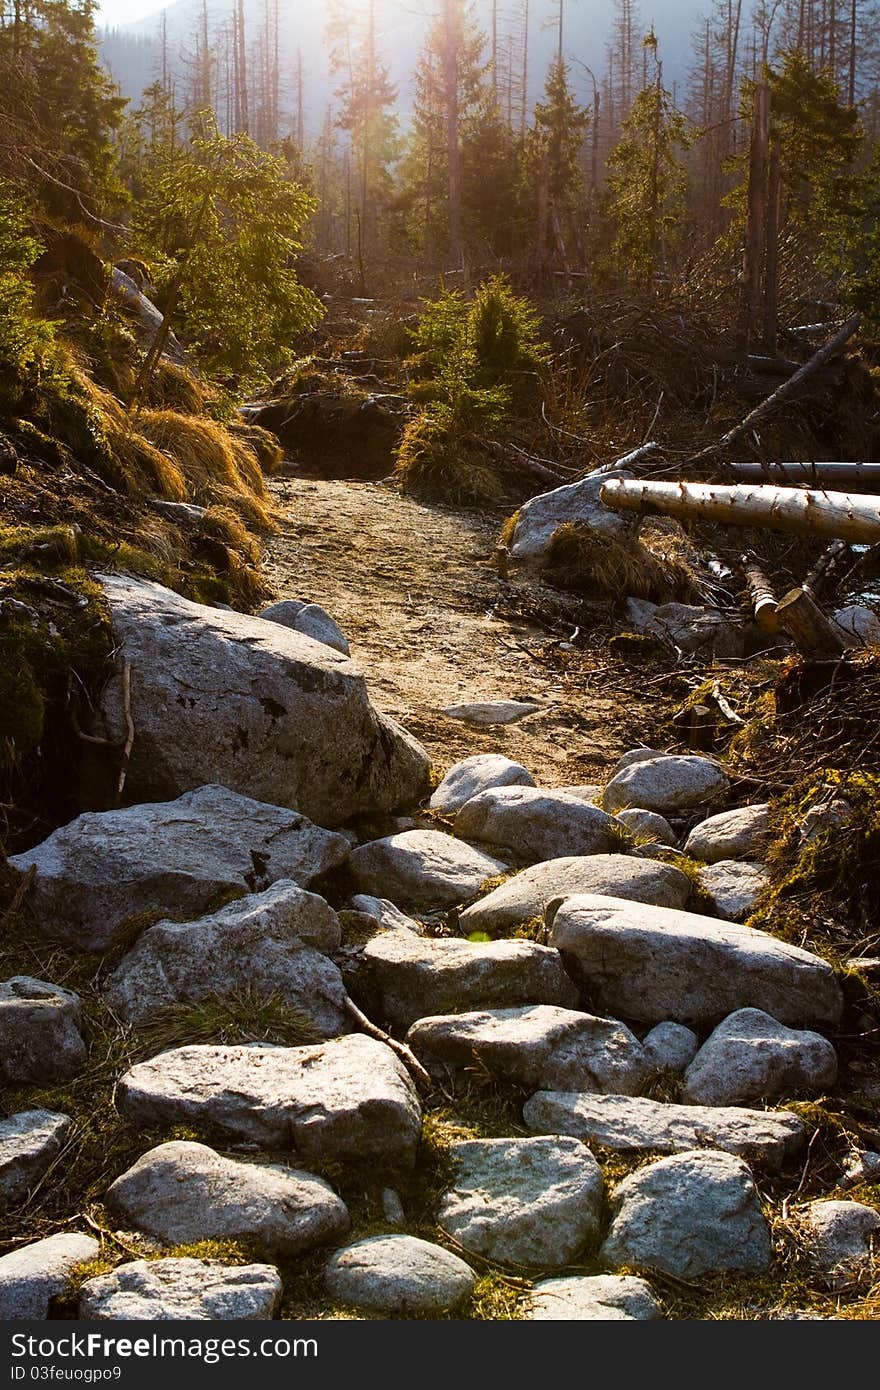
x: 529, y: 893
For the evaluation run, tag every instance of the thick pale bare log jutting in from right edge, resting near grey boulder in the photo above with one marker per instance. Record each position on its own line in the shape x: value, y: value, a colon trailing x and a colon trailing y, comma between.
x: 799, y: 511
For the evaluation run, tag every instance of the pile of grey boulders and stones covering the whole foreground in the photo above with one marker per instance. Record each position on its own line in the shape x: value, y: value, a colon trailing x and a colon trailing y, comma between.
x: 614, y: 983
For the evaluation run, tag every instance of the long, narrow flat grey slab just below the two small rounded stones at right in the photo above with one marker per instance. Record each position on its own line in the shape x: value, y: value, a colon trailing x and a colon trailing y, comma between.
x: 628, y: 1124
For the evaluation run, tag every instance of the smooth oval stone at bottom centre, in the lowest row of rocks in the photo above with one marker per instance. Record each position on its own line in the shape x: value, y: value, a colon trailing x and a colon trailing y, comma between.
x: 398, y: 1275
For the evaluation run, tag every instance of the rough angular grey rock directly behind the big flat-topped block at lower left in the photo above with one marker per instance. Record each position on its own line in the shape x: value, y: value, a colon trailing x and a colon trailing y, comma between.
x: 256, y: 945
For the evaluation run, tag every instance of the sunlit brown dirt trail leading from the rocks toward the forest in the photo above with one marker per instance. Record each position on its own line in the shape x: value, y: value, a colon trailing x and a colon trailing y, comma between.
x: 415, y: 591
